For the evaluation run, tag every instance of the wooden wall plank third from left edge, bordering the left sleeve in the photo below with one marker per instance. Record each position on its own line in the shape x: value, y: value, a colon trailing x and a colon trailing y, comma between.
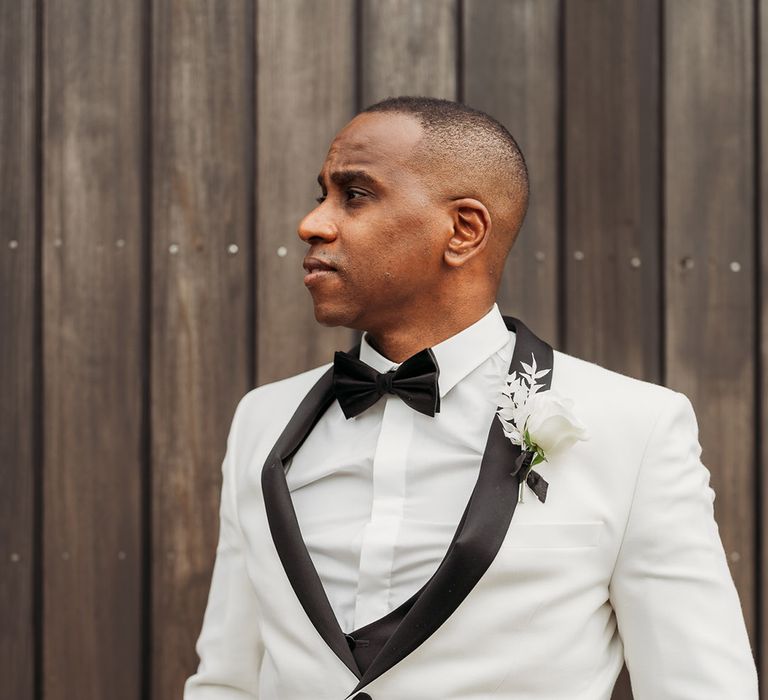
x: 202, y: 122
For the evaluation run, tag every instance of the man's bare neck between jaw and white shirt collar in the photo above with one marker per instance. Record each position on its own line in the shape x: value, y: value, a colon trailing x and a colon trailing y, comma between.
x: 400, y: 343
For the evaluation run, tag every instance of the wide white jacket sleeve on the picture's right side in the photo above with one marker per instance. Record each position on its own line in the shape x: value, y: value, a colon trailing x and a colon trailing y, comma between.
x: 676, y: 604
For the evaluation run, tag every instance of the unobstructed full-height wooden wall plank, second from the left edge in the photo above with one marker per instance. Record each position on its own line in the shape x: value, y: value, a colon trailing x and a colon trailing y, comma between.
x: 92, y: 253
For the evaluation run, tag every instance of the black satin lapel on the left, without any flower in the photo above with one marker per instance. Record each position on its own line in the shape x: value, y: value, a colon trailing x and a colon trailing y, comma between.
x: 284, y: 526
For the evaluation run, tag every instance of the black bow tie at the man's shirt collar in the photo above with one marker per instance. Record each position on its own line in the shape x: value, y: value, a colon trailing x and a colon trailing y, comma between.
x: 358, y: 386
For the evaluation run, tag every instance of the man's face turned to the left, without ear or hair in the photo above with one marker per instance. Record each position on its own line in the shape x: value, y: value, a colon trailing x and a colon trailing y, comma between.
x: 376, y: 238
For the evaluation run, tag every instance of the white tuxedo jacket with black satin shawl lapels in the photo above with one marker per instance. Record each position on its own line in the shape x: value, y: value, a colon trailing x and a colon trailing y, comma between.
x: 542, y: 601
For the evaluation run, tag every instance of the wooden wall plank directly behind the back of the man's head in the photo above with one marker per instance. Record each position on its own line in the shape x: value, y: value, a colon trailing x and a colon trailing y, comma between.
x: 511, y: 71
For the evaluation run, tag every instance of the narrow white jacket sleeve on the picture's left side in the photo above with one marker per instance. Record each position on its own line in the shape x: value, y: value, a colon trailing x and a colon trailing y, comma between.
x: 229, y: 645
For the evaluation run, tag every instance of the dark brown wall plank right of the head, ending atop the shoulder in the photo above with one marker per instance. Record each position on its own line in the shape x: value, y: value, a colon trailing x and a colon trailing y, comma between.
x: 612, y: 188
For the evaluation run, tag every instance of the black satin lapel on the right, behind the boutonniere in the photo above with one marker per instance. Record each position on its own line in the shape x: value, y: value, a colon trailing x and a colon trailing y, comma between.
x: 481, y: 531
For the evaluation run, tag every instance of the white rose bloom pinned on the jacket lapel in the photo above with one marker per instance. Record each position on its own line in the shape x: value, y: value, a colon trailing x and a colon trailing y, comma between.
x: 552, y: 423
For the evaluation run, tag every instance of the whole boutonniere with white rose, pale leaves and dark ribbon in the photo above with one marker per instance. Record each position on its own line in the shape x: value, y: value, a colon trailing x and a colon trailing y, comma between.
x: 542, y: 423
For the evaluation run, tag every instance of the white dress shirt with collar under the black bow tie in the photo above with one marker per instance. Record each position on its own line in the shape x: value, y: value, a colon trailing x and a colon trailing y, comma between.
x: 378, y: 497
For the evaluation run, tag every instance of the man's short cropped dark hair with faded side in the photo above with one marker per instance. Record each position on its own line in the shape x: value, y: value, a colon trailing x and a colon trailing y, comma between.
x: 479, y: 145
